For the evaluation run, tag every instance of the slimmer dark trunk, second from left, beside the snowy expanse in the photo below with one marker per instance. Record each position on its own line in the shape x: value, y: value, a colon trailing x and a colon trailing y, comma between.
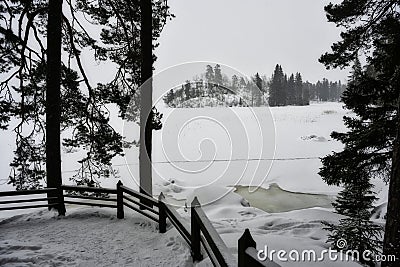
x: 146, y: 94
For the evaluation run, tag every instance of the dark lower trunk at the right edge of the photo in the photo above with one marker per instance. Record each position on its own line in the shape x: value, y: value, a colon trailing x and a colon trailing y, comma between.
x: 391, y: 244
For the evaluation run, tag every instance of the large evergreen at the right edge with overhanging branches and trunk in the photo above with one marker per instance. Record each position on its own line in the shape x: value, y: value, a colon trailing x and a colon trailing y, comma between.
x: 372, y: 143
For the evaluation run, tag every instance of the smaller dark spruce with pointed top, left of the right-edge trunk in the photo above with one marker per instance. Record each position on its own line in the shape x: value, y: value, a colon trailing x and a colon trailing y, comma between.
x: 350, y: 169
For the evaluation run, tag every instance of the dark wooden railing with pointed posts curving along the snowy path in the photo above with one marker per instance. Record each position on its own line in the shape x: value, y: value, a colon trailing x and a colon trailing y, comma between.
x: 200, y: 235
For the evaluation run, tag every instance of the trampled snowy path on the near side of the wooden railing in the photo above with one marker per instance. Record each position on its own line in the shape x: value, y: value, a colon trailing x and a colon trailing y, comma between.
x: 88, y: 237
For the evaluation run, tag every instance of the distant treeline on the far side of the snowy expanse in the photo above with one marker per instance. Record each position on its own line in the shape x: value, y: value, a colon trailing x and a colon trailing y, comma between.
x: 213, y: 88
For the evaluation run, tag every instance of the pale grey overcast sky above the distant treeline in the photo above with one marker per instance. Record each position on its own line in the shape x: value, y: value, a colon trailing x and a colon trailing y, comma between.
x: 251, y: 36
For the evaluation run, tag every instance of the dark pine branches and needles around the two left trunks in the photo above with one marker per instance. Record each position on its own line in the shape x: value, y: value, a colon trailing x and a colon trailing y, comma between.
x: 78, y: 107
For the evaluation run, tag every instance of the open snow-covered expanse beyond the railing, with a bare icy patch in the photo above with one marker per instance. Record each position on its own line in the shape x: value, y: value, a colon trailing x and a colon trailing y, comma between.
x: 183, y: 152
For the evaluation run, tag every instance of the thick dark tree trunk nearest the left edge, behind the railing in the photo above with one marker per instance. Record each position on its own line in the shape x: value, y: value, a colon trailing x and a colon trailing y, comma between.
x: 53, y: 101
